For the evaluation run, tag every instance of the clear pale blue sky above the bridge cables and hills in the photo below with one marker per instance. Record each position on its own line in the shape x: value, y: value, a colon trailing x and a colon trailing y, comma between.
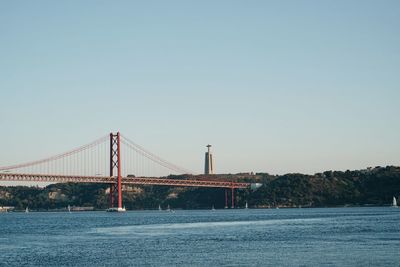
x: 274, y: 86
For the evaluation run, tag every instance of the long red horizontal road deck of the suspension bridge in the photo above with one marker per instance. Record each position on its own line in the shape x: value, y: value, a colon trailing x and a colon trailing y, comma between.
x: 125, y: 180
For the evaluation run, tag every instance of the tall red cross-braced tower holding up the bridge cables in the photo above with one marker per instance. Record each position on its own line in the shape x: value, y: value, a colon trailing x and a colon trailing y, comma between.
x: 115, y: 166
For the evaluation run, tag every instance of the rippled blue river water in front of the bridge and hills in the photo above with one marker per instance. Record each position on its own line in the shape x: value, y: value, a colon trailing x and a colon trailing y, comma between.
x: 263, y: 237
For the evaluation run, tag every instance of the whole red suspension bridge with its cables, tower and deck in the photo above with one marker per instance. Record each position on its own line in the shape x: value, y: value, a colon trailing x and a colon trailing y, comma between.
x: 101, y: 162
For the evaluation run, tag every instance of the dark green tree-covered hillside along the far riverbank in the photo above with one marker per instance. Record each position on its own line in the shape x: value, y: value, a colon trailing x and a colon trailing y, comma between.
x: 374, y: 186
